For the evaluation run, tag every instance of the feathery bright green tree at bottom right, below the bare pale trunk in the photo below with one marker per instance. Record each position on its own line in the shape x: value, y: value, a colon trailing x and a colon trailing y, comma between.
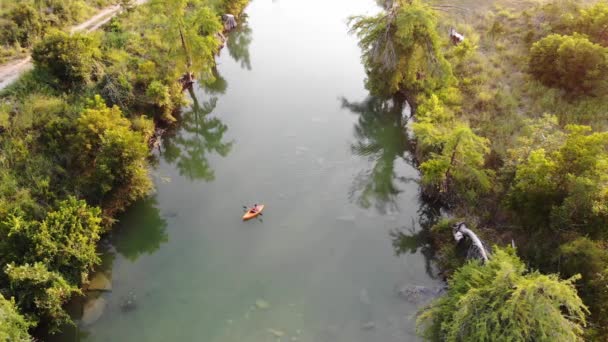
x: 502, y: 301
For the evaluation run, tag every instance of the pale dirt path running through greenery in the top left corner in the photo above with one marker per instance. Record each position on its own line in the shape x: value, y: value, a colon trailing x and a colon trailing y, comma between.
x: 10, y: 71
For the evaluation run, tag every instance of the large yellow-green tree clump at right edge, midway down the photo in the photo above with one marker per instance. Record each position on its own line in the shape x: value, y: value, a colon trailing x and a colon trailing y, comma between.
x: 564, y: 185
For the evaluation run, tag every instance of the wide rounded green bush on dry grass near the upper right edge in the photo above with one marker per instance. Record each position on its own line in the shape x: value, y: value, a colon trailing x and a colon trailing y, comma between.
x: 570, y: 62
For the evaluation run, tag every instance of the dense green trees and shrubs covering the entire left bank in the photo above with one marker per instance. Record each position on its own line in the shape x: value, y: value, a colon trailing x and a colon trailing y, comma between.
x: 74, y: 142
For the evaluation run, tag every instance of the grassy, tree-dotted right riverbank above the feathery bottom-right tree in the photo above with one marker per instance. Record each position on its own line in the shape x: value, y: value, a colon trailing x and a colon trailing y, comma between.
x: 511, y: 143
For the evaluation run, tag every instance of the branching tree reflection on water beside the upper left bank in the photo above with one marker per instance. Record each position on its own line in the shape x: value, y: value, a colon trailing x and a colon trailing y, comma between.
x: 197, y: 136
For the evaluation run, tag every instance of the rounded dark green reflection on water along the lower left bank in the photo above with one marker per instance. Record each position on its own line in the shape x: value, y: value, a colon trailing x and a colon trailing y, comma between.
x: 140, y: 230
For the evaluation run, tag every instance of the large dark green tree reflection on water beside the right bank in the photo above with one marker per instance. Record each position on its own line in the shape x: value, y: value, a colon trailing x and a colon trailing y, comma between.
x: 382, y: 138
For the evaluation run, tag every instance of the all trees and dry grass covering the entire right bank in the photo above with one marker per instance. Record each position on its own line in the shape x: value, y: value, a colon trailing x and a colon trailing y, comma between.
x: 510, y: 131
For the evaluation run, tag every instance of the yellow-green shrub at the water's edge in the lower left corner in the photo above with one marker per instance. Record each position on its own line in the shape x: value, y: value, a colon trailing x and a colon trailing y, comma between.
x: 39, y: 290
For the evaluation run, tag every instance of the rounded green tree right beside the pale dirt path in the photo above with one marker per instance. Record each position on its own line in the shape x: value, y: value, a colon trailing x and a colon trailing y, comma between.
x: 72, y: 59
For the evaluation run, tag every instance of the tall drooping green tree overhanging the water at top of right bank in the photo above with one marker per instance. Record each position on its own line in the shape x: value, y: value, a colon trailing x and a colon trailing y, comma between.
x: 402, y: 49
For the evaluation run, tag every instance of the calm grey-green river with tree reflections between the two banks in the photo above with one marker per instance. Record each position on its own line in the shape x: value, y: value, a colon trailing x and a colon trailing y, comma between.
x: 288, y: 124
